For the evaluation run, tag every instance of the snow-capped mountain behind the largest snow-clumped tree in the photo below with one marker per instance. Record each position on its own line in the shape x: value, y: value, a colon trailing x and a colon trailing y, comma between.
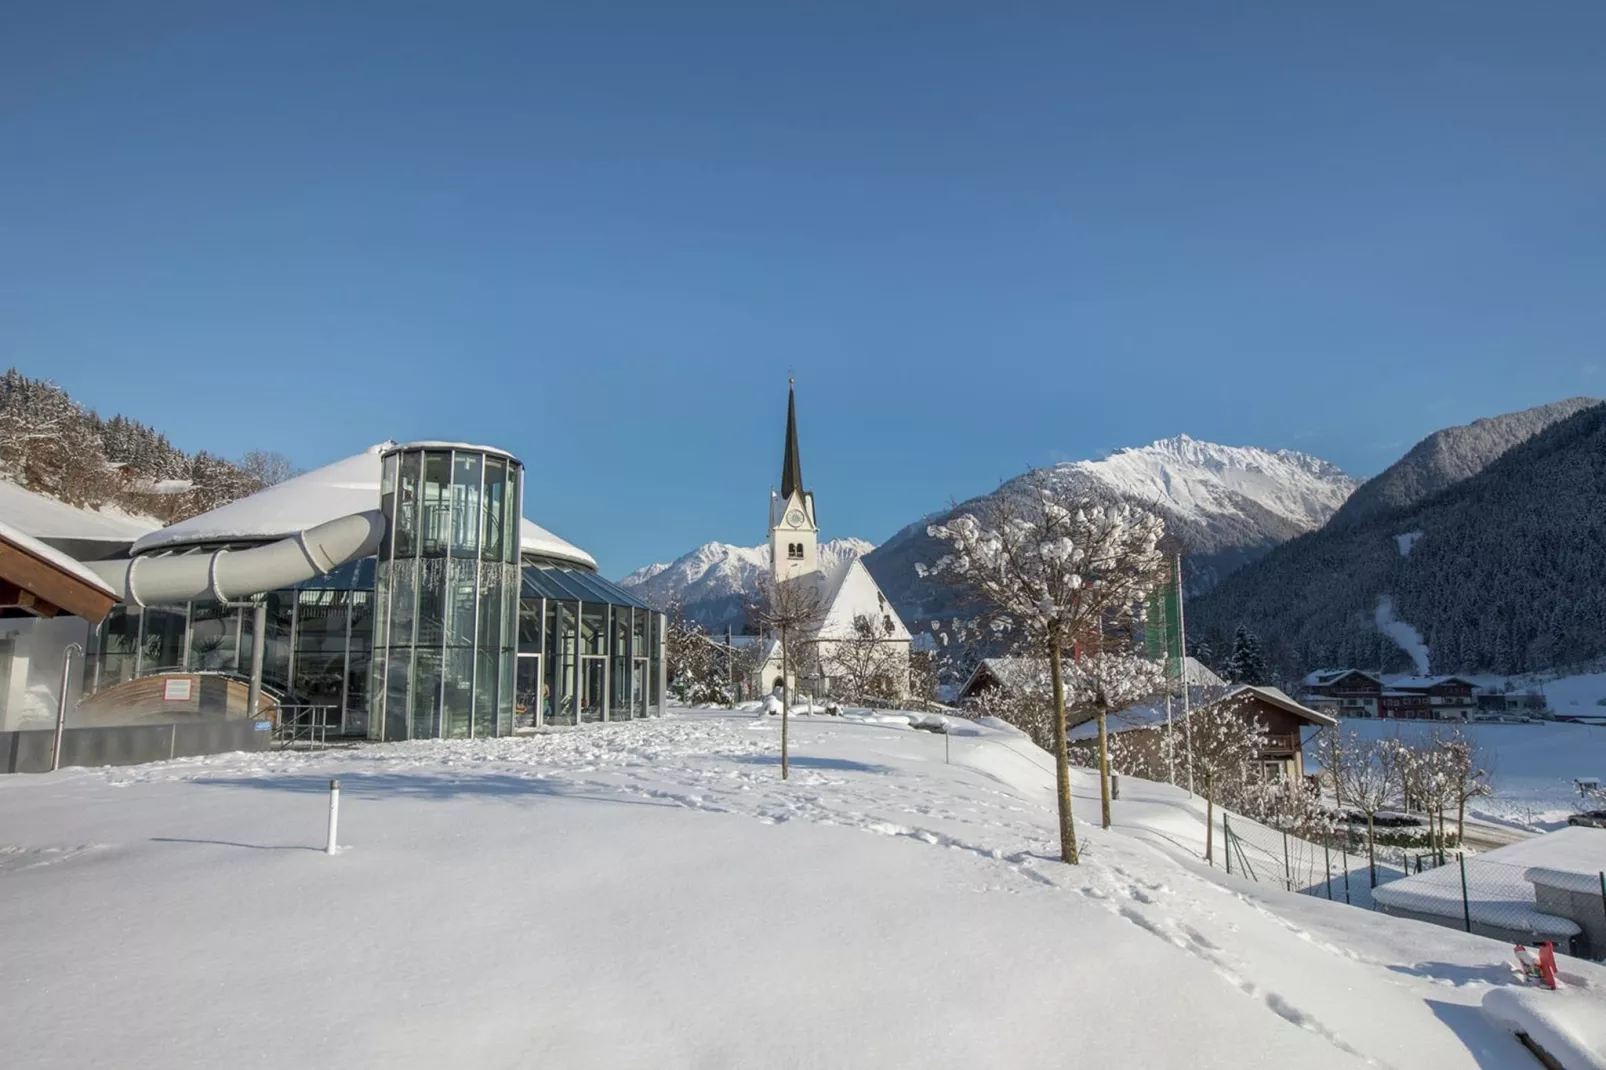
x: 1229, y: 505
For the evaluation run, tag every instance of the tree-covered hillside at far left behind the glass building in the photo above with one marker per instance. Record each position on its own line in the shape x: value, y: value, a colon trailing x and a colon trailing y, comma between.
x: 57, y: 447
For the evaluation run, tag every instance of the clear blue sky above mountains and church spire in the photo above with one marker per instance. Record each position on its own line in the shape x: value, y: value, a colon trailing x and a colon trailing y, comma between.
x: 982, y: 237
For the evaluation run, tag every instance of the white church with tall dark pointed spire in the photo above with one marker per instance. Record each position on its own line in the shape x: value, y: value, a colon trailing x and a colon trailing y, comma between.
x: 857, y: 648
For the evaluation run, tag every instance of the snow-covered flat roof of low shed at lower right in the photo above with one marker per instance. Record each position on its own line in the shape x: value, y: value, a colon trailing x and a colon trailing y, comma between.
x: 1498, y: 894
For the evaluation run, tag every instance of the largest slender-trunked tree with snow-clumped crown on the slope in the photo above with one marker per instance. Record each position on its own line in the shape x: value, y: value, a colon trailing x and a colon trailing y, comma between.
x: 1051, y: 565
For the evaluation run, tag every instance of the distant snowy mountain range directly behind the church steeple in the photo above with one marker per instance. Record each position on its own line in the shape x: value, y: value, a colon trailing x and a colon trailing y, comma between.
x: 715, y: 581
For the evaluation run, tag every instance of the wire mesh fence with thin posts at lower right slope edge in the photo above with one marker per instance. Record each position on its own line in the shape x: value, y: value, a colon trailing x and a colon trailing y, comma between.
x: 1499, y: 901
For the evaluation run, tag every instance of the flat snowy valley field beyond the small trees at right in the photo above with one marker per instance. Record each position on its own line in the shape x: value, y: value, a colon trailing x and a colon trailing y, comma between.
x: 1533, y: 767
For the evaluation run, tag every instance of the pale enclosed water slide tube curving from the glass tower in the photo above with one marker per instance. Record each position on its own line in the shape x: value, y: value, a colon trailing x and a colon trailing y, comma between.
x: 234, y: 574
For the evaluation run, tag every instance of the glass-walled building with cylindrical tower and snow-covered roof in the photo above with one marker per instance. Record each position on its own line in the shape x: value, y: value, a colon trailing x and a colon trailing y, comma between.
x: 470, y: 623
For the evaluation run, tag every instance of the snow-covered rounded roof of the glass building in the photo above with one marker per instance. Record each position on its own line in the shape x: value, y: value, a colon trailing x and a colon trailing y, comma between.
x: 327, y: 494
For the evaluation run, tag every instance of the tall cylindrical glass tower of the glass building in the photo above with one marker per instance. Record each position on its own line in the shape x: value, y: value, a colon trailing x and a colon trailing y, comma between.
x: 446, y: 595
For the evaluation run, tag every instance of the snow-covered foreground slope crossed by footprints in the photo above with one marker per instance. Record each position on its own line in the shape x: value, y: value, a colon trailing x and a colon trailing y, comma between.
x: 654, y: 896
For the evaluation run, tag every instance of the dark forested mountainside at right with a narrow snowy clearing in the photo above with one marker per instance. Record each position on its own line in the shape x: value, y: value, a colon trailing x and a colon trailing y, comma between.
x: 1501, y: 573
